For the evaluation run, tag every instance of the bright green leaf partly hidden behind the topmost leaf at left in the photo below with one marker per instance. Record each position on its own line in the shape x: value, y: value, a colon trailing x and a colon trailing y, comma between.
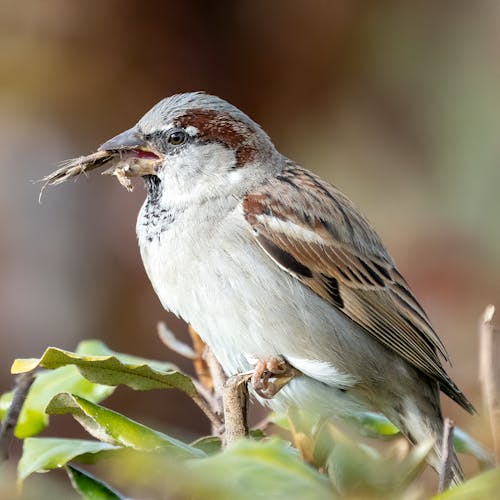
x: 47, y: 384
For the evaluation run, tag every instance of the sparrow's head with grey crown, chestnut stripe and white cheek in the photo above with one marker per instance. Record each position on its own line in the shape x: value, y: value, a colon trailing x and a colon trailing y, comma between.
x: 207, y: 147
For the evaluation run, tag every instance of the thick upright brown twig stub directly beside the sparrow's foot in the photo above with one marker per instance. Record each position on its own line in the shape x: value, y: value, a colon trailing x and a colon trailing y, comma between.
x: 235, y: 400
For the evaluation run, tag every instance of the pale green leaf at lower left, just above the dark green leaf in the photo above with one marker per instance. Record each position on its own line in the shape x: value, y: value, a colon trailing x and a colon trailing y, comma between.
x: 43, y: 454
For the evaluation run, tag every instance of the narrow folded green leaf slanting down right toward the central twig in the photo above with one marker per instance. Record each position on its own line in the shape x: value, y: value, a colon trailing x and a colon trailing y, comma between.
x: 112, y: 427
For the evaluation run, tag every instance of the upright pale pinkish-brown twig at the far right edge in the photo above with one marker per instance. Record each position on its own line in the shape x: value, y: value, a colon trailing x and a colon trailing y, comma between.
x: 487, y: 375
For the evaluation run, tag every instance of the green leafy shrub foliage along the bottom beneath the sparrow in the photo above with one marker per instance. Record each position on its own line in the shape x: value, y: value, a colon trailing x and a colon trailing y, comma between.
x: 310, y: 460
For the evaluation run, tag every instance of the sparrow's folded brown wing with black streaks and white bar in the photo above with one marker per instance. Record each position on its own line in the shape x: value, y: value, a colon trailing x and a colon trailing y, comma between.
x: 315, y: 233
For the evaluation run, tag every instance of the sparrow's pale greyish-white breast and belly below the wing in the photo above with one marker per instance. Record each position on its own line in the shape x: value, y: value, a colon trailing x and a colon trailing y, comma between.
x: 244, y: 306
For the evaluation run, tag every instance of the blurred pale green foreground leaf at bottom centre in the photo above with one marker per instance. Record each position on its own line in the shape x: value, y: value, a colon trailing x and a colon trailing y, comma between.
x: 266, y: 469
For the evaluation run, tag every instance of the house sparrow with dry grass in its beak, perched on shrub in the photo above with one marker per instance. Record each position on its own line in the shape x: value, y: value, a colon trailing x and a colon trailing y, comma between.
x: 277, y: 270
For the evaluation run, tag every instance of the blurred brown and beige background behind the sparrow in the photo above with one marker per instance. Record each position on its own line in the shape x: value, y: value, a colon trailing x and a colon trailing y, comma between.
x: 395, y: 102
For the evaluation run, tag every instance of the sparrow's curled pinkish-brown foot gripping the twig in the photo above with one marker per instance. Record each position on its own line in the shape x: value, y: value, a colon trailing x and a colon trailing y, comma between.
x: 271, y: 374
